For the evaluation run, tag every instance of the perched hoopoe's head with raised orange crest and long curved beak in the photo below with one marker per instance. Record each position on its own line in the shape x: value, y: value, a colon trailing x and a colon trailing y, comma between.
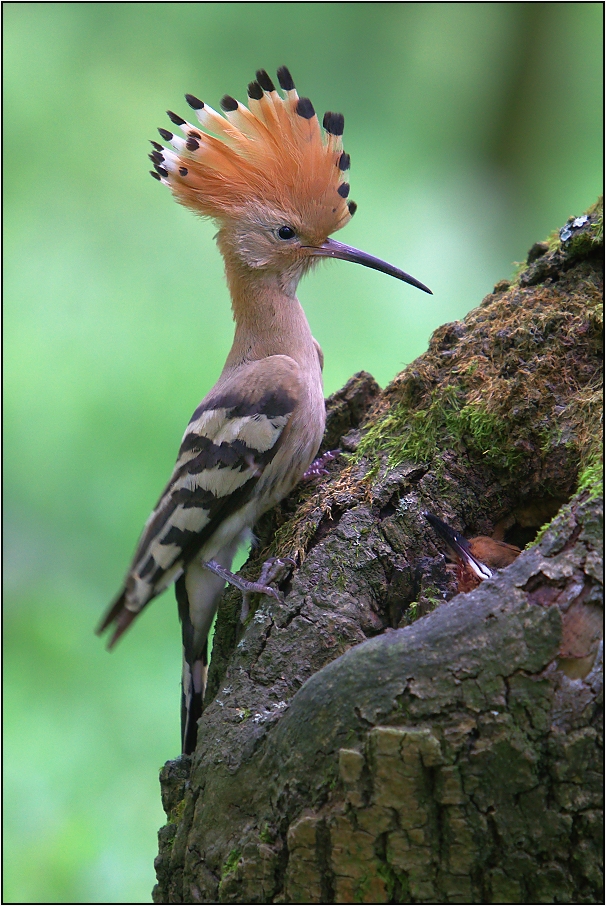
x: 269, y: 175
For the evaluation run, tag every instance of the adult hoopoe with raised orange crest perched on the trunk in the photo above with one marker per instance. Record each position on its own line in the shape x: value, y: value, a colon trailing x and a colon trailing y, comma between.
x: 275, y: 185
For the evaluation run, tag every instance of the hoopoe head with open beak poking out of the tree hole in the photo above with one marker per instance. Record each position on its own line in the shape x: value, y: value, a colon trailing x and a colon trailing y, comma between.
x: 476, y: 558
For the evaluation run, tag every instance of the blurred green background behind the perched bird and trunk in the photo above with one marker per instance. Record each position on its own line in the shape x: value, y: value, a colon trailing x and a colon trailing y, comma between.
x: 474, y: 130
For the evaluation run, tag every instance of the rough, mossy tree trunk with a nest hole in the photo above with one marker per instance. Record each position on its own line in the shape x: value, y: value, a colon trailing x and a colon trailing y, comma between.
x: 377, y: 738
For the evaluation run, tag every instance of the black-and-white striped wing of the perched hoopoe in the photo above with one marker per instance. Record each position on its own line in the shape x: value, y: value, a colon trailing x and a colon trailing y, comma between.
x: 231, y: 438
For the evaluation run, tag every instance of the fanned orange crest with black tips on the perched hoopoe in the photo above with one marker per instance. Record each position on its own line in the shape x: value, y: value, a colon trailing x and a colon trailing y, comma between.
x: 272, y: 153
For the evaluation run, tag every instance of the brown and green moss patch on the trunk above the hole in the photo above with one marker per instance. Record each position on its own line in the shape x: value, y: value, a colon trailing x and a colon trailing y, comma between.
x: 521, y: 377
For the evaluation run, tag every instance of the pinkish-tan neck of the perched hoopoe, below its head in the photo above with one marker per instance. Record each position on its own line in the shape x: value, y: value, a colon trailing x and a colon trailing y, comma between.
x: 269, y: 318
